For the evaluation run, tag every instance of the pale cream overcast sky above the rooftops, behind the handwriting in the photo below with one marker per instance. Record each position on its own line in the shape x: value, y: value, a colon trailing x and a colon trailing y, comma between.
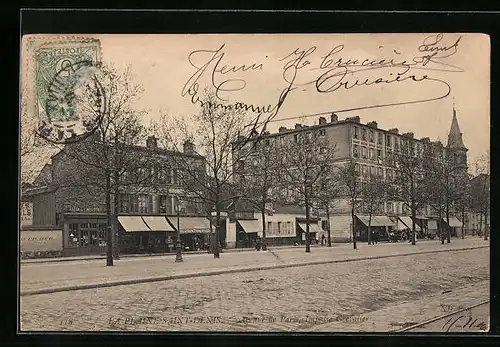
x: 454, y: 63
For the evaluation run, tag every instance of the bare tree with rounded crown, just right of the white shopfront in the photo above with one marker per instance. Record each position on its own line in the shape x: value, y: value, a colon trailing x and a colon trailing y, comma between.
x: 304, y: 158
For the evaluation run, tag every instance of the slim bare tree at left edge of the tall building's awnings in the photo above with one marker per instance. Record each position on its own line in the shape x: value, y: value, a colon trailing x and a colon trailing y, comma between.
x: 350, y: 177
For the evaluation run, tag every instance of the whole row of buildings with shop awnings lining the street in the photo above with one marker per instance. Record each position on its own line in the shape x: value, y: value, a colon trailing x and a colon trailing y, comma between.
x: 76, y: 222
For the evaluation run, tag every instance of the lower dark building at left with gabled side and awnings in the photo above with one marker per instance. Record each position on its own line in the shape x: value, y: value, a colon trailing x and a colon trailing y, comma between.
x: 147, y: 213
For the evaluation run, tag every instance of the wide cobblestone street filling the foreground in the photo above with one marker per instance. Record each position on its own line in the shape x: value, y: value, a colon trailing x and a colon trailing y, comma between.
x: 382, y: 294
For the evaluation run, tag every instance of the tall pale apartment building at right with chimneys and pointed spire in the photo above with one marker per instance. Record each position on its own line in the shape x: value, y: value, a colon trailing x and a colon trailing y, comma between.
x: 371, y: 148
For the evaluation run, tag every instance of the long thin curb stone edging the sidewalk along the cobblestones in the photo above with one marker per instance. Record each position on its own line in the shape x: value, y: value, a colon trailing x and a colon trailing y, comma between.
x: 225, y: 271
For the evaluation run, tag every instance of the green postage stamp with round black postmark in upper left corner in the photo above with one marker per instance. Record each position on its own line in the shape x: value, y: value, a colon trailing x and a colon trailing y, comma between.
x: 62, y: 66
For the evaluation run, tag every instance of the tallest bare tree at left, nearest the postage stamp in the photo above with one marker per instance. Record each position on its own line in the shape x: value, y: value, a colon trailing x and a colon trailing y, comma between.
x: 106, y: 163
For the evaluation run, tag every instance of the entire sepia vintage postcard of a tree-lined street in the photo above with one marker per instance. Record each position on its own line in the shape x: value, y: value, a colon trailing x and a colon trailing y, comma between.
x: 255, y: 183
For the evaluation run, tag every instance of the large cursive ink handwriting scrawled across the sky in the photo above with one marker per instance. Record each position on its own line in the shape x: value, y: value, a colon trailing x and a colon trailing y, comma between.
x: 330, y: 73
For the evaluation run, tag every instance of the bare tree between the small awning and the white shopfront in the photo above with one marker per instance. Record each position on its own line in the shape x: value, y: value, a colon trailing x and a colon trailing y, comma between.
x: 256, y: 176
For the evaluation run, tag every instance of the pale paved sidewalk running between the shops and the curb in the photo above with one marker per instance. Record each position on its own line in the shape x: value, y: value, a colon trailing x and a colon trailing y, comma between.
x: 53, y: 277
